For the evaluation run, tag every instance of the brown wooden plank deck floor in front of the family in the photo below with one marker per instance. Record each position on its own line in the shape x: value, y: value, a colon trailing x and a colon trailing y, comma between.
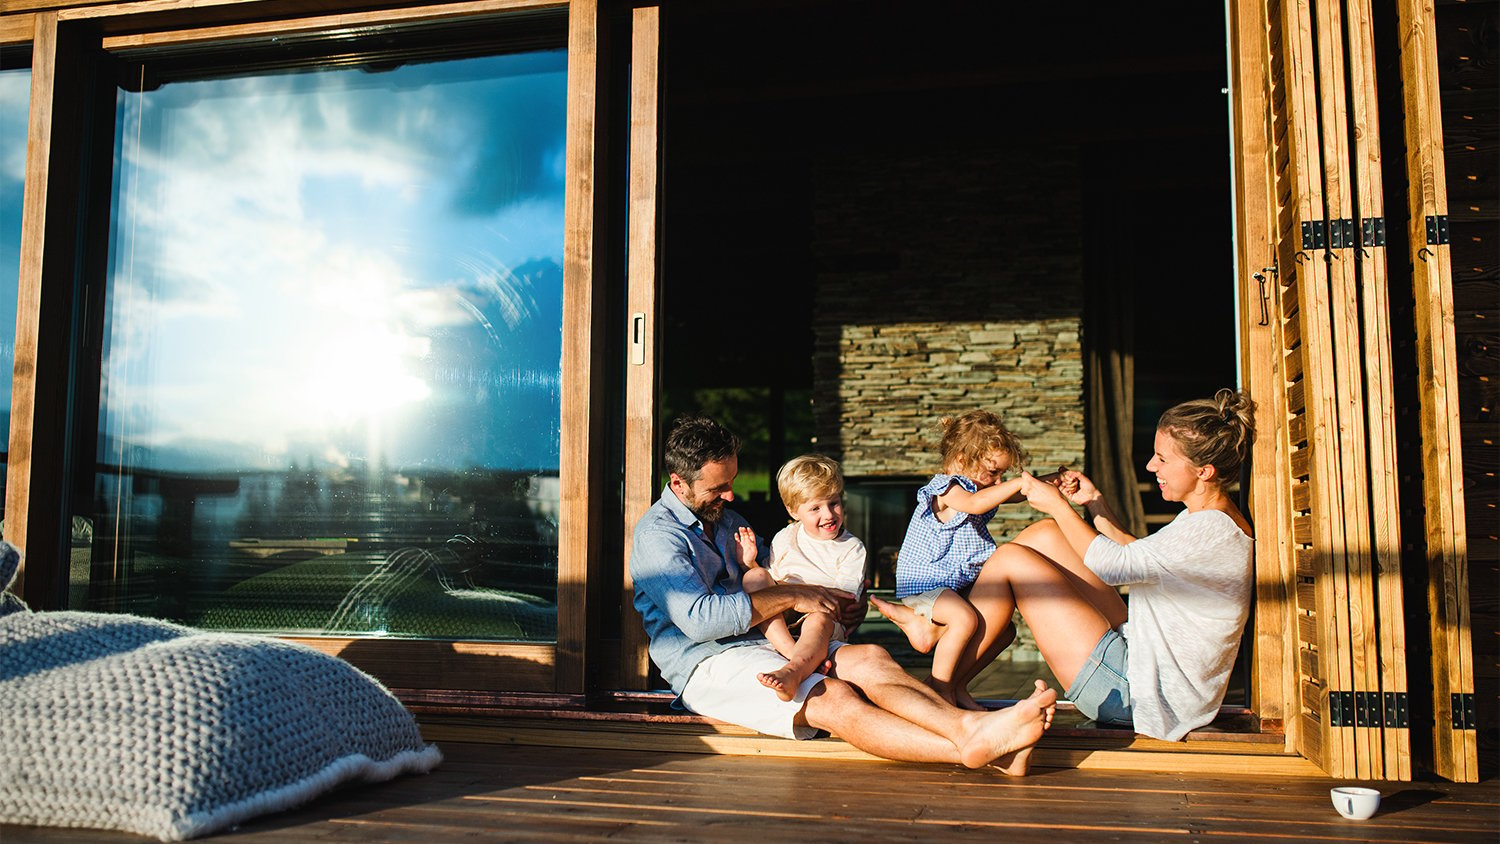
x: 487, y: 792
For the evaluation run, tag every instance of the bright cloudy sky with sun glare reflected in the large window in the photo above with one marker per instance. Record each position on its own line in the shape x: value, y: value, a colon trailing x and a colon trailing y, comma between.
x: 340, y: 268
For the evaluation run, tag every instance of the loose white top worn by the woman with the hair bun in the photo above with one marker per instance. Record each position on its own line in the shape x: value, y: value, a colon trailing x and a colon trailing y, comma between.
x: 1190, y: 588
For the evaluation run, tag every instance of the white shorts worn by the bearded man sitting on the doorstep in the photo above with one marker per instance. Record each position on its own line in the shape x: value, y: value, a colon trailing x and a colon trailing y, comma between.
x: 725, y: 687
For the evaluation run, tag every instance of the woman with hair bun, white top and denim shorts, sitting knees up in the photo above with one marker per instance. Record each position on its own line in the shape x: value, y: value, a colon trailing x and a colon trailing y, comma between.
x: 1163, y: 663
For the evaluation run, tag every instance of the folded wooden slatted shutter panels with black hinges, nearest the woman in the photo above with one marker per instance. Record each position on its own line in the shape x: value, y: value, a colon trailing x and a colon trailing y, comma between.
x: 1336, y: 395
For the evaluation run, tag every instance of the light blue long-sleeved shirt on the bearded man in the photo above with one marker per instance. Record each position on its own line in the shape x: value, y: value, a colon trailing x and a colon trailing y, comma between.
x: 688, y: 593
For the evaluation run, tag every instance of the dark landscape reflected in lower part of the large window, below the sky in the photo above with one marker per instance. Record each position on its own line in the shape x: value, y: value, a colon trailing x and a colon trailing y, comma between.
x: 431, y: 557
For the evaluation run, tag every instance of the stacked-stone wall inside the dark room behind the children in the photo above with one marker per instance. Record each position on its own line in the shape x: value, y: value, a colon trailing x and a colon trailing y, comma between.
x: 917, y: 319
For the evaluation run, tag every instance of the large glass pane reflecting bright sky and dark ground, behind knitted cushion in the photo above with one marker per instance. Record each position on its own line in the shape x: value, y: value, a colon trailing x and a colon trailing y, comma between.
x: 331, y: 382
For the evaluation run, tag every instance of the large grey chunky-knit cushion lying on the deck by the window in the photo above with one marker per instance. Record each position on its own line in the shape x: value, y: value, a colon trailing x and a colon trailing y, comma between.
x: 137, y: 725
